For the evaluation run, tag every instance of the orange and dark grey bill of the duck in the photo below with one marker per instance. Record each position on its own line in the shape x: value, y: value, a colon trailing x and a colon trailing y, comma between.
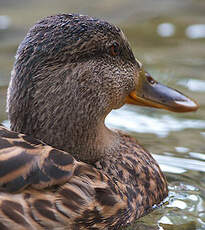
x: 153, y: 94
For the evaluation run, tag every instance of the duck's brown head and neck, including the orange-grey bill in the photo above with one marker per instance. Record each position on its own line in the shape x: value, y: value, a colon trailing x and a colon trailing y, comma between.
x: 70, y: 72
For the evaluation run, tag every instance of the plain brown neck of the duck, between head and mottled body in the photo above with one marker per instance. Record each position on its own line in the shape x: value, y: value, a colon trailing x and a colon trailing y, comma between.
x: 86, y: 139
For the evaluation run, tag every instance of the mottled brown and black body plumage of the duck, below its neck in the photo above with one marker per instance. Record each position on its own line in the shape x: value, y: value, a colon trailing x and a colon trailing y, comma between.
x: 53, y: 190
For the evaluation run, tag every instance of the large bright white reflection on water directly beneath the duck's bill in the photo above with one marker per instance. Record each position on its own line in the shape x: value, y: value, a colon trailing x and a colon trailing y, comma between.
x: 130, y: 120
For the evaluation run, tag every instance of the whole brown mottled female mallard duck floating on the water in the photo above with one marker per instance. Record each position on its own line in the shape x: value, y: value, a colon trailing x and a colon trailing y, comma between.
x: 70, y: 72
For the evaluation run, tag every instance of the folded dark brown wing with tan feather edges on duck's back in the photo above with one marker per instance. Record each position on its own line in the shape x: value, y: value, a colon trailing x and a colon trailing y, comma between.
x: 26, y: 161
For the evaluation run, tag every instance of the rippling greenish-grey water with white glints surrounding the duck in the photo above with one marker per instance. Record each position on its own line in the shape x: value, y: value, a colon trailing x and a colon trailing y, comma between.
x: 169, y: 38
